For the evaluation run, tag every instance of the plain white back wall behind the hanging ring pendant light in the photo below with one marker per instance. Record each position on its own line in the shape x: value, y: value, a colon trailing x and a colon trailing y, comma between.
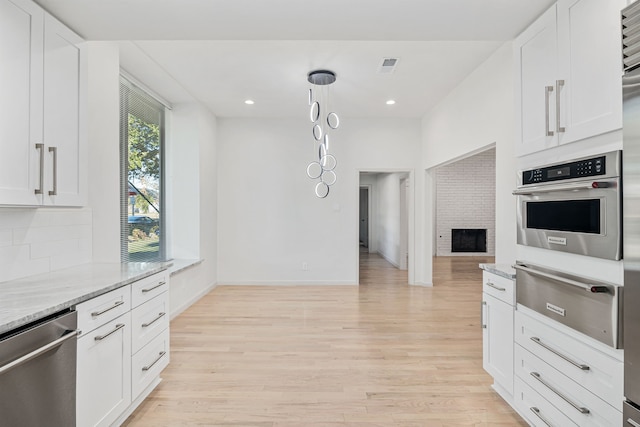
x: 270, y: 221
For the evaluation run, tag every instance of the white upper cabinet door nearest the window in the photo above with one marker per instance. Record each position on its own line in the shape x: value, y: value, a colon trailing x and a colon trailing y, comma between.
x: 63, y: 105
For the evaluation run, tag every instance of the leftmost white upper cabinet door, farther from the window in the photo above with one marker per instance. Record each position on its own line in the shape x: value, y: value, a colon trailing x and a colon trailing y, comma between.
x: 21, y: 101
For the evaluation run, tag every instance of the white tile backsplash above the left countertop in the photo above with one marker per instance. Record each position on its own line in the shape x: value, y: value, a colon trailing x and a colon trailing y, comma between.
x: 40, y: 240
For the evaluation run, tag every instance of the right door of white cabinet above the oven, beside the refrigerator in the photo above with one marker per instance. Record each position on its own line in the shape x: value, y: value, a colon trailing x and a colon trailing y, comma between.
x: 589, y: 49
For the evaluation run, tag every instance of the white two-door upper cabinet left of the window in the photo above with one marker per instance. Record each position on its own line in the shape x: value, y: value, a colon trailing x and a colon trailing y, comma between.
x: 42, y: 135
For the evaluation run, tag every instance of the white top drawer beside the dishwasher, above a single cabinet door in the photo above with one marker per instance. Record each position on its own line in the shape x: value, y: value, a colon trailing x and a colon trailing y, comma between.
x: 103, y: 309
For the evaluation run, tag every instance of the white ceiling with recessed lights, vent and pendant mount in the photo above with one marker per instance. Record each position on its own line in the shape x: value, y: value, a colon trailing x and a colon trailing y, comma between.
x: 222, y: 52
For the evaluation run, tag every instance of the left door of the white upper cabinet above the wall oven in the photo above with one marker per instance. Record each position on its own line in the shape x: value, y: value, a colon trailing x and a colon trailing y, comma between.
x: 536, y: 68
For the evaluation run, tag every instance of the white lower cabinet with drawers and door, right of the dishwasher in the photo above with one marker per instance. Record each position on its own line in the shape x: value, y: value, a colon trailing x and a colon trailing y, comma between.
x: 120, y: 358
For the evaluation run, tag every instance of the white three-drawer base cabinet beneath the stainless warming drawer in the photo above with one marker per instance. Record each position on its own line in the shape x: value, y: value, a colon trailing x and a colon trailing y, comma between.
x: 563, y: 378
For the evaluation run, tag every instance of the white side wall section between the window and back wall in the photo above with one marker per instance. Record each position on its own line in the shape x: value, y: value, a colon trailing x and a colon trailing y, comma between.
x: 192, y: 211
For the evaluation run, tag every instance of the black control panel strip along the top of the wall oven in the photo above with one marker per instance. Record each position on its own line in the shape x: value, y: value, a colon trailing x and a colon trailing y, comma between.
x: 594, y: 166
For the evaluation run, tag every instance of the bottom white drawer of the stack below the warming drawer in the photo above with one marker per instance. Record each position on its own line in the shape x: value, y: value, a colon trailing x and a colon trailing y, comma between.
x: 537, y: 411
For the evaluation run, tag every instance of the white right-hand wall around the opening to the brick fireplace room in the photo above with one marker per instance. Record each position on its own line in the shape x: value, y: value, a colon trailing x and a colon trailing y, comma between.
x: 475, y: 115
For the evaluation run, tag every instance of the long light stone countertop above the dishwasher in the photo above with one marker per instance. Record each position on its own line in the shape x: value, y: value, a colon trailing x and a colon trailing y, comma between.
x: 25, y: 300
